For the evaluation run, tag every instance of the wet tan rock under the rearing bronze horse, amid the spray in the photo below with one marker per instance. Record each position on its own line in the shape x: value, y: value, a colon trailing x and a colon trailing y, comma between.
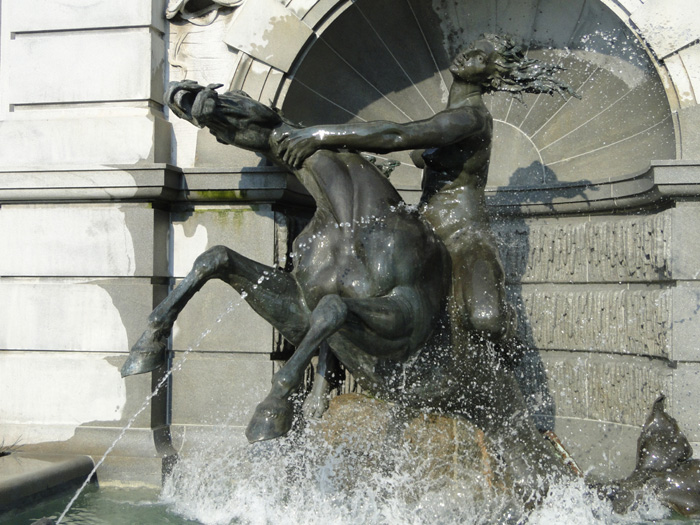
x: 436, y: 450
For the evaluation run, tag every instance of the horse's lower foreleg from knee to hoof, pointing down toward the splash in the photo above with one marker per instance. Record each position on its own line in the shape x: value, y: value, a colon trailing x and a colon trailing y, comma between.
x: 273, y: 417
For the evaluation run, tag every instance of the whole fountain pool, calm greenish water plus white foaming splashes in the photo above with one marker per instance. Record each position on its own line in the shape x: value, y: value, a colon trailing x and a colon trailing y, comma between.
x: 294, y: 480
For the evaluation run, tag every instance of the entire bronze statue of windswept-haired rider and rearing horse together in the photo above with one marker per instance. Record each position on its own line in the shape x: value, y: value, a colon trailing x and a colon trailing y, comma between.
x: 413, y: 304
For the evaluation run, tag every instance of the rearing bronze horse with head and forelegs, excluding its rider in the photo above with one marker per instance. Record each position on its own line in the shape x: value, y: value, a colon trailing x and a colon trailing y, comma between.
x: 370, y: 281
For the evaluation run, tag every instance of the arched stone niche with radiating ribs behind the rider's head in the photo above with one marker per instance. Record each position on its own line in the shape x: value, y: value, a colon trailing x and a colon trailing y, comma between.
x: 343, y: 61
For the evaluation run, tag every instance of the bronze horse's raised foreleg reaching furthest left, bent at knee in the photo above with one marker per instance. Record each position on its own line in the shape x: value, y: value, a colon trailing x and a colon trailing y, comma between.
x: 271, y: 293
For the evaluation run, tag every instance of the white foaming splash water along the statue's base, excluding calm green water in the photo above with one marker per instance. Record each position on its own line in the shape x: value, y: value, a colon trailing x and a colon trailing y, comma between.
x: 300, y: 479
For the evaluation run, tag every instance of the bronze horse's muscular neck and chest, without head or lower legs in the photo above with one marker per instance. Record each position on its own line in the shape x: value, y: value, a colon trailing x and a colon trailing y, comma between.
x: 363, y: 244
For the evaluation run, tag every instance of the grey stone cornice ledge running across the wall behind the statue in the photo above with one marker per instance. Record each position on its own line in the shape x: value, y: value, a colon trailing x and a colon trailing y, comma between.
x: 662, y: 183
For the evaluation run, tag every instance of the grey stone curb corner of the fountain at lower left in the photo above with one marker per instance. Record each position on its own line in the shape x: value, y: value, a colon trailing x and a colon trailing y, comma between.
x: 26, y: 476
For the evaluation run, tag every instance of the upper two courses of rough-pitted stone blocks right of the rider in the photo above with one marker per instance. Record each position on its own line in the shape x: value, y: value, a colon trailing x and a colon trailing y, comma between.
x: 595, y: 284
